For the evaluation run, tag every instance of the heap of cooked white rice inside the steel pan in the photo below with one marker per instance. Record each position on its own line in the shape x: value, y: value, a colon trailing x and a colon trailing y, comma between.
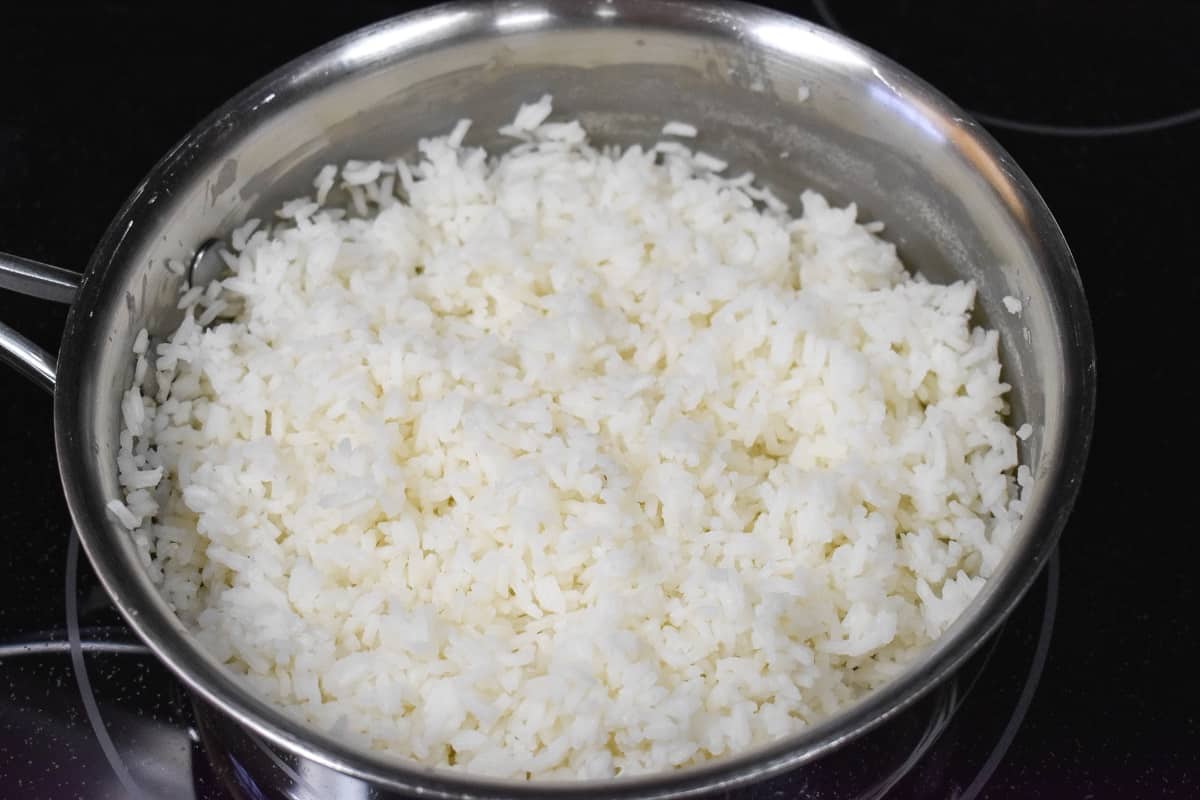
x: 574, y: 462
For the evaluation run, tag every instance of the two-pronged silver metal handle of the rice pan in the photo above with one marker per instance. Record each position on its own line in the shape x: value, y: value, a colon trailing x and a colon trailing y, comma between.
x: 35, y: 280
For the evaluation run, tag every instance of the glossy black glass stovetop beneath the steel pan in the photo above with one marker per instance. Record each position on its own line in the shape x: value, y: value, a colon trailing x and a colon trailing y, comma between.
x: 1101, y: 106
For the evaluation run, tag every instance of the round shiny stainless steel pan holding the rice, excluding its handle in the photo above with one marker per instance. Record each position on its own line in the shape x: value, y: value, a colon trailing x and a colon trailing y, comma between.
x: 952, y: 200
